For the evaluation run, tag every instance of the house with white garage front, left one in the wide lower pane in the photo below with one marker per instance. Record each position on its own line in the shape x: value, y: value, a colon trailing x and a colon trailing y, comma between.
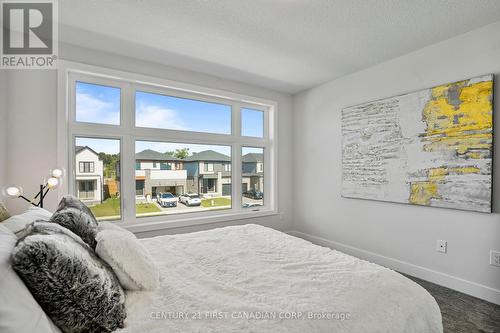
x: 157, y: 172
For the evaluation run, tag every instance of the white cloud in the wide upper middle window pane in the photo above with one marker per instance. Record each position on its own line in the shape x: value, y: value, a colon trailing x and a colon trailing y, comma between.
x: 158, y: 117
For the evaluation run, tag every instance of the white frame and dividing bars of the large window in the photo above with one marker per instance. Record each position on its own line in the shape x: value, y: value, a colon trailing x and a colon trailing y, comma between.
x: 68, y: 129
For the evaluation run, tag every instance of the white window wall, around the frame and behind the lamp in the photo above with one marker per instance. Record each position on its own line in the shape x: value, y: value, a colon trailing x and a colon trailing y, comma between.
x: 32, y: 120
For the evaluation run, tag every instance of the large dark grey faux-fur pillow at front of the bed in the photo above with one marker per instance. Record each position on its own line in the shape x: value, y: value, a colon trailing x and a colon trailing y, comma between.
x: 76, y: 289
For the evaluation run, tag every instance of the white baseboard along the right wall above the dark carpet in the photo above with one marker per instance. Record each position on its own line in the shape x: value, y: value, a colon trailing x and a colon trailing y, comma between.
x: 467, y: 287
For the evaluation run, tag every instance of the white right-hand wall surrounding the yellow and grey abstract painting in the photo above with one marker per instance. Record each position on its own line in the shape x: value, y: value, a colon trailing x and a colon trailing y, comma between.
x: 400, y: 236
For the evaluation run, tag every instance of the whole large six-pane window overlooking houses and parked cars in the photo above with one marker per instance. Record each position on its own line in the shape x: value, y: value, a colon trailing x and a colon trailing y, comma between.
x: 148, y: 150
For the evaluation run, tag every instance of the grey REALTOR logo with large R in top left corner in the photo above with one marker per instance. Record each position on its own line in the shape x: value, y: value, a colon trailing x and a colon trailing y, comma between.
x: 29, y: 34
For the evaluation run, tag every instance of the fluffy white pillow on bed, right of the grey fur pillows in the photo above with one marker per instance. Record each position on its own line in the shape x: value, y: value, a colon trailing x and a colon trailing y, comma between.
x: 129, y: 259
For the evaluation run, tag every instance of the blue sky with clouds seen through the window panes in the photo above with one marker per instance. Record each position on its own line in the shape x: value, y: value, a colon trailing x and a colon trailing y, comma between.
x: 101, y: 104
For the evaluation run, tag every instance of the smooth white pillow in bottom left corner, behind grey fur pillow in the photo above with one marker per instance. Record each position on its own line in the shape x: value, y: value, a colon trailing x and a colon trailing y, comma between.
x: 18, y: 309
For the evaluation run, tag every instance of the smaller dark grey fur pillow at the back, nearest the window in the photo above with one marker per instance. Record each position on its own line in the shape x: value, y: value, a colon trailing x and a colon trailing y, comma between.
x: 79, y: 222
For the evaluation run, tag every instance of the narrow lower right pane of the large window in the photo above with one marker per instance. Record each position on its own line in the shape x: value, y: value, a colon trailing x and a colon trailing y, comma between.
x: 252, y: 174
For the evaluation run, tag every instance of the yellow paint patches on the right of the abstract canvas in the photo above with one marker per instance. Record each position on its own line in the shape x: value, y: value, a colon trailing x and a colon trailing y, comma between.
x: 459, y: 118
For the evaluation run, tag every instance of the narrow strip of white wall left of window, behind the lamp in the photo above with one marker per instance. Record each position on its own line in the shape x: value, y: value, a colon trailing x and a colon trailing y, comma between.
x: 31, y: 130
